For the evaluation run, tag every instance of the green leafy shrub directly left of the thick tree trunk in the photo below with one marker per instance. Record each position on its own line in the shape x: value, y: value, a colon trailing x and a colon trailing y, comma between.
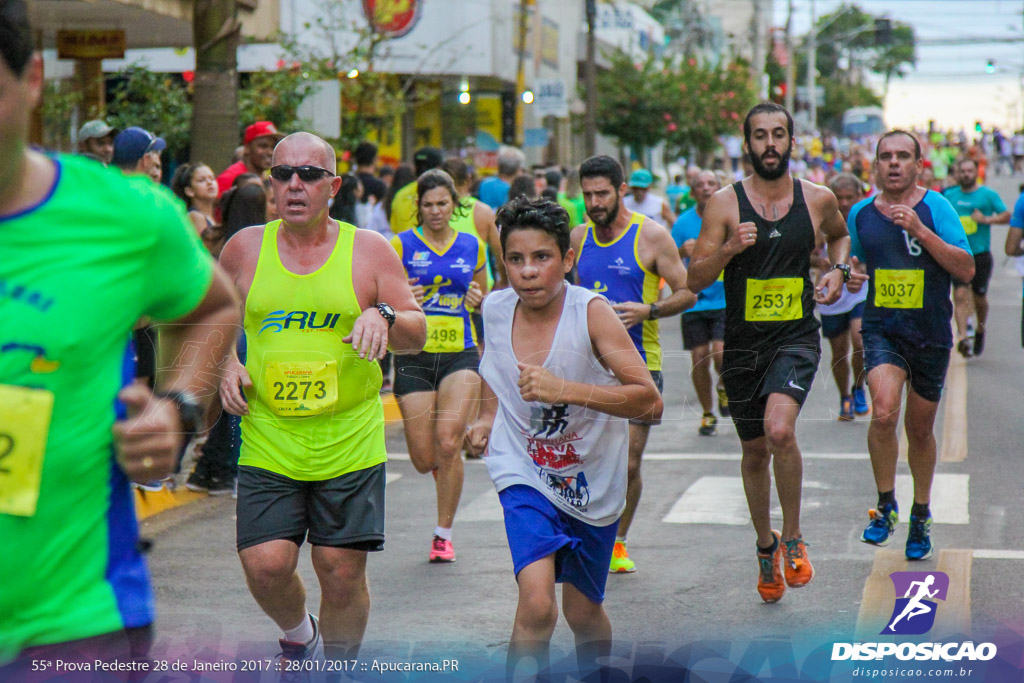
x: 158, y: 103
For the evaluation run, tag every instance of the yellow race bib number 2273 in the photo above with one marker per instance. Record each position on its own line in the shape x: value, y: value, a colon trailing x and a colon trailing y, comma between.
x: 298, y: 390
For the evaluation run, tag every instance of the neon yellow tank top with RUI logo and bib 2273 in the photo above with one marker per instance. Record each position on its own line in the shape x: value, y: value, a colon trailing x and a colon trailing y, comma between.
x: 315, y: 409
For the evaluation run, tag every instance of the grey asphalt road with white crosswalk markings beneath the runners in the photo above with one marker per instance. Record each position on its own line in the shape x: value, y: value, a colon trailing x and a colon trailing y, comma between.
x: 694, y: 593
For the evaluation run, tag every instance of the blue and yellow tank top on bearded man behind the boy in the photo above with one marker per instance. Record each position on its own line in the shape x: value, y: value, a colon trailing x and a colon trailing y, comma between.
x: 614, y: 270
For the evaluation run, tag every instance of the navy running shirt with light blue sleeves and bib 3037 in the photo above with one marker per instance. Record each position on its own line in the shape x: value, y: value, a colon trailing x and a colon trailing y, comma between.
x: 909, y: 291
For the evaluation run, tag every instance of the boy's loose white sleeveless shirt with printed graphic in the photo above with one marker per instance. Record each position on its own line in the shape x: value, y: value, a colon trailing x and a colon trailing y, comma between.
x: 575, y: 456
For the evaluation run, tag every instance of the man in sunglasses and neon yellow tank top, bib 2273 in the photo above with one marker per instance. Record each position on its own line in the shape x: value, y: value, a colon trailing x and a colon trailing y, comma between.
x: 323, y: 303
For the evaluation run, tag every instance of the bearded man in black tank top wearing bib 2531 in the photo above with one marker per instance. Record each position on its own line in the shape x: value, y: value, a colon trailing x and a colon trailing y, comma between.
x: 761, y: 233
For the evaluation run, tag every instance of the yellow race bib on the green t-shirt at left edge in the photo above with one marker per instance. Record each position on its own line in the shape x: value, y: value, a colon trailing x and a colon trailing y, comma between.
x: 23, y: 445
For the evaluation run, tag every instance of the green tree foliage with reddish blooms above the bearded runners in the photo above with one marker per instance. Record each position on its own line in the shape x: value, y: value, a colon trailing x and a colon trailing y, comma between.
x: 684, y: 103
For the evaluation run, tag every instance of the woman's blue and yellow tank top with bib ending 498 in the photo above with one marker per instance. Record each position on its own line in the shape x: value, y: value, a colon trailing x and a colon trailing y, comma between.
x: 446, y: 275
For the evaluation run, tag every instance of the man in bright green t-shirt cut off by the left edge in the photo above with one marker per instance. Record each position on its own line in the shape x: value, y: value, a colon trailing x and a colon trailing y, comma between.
x: 87, y: 253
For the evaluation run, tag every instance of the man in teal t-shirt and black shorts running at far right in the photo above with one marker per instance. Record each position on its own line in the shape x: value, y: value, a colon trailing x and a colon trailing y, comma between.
x: 978, y: 208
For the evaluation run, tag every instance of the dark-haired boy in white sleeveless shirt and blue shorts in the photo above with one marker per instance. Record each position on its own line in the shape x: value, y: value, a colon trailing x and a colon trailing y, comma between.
x: 562, y: 378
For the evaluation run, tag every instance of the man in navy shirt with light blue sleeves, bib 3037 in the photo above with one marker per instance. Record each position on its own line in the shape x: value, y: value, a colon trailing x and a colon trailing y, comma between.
x: 914, y: 245
